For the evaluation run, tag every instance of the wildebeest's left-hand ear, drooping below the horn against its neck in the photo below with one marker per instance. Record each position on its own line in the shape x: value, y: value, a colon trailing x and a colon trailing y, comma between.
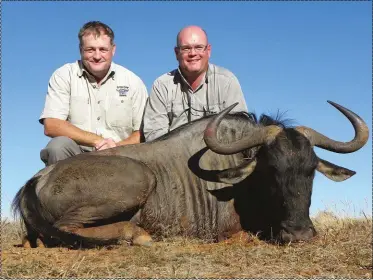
x: 237, y: 174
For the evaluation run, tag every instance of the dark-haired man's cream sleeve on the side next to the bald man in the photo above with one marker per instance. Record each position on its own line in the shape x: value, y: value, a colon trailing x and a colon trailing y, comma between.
x: 138, y: 105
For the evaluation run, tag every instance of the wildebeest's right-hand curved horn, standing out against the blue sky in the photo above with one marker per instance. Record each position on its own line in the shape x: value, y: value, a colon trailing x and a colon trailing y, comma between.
x: 321, y: 141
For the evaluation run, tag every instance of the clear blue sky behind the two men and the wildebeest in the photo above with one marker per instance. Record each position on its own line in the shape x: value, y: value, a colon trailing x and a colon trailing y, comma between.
x: 291, y: 56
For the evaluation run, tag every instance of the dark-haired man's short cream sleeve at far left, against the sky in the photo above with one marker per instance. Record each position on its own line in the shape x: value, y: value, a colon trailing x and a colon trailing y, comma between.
x: 57, y: 102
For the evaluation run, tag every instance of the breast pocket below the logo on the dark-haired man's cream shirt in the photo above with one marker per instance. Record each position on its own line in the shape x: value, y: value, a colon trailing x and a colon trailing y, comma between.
x: 119, y: 113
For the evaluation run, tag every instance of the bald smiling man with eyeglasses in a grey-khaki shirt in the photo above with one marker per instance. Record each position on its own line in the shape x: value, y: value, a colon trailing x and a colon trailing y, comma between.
x: 194, y: 90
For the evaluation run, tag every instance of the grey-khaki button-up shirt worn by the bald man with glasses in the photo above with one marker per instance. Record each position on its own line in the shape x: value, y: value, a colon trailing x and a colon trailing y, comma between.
x: 168, y: 104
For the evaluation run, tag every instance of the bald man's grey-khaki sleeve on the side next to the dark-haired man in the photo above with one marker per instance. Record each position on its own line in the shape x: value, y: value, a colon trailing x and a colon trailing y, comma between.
x: 156, y: 122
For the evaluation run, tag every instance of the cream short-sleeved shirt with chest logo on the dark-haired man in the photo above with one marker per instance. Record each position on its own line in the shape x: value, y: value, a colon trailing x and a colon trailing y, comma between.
x: 113, y: 109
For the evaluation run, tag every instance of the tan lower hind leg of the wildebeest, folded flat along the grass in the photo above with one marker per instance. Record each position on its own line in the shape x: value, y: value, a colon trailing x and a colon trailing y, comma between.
x: 126, y: 231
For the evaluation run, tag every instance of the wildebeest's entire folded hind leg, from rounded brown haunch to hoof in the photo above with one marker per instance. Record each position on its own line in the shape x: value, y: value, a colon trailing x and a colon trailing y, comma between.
x: 89, y: 196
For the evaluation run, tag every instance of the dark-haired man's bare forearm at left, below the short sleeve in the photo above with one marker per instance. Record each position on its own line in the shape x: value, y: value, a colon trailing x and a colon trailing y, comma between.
x: 56, y: 127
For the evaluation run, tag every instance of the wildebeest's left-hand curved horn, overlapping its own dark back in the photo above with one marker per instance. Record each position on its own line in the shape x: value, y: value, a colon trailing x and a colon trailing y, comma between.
x: 257, y: 136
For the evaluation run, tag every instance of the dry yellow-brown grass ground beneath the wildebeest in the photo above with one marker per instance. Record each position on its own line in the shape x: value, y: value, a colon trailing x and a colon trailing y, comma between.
x: 343, y: 248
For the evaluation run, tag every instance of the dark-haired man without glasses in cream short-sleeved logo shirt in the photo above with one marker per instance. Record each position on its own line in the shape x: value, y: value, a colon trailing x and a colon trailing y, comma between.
x: 93, y: 103
